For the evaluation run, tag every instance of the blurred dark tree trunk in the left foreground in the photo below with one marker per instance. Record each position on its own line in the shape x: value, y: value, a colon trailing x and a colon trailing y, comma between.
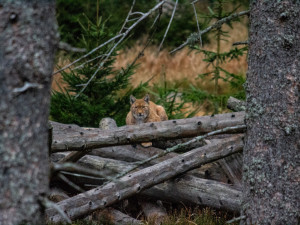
x: 28, y: 37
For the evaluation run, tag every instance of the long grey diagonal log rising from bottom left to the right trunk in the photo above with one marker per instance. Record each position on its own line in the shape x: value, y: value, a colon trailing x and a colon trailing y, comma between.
x: 131, y: 184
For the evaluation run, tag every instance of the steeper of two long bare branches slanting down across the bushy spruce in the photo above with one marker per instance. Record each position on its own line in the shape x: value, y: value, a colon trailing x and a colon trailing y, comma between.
x: 123, y: 35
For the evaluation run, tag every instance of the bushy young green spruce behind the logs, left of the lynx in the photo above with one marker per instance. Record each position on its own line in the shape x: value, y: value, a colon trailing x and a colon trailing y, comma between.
x: 107, y: 95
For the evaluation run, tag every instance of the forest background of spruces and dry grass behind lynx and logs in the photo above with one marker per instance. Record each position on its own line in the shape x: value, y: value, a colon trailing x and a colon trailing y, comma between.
x: 194, y: 81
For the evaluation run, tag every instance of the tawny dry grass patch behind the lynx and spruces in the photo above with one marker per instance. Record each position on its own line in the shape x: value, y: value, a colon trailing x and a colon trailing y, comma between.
x: 182, y: 65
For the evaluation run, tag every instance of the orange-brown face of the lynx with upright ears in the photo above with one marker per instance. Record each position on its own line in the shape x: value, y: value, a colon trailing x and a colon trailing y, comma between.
x: 140, y: 108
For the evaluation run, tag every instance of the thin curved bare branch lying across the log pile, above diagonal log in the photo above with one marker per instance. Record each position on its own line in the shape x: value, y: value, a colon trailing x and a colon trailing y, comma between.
x: 180, y: 146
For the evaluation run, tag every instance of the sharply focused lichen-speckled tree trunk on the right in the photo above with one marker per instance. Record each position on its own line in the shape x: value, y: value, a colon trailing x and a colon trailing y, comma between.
x: 271, y: 153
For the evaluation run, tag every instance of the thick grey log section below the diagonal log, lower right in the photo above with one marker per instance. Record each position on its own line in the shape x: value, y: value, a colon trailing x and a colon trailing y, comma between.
x: 192, y: 190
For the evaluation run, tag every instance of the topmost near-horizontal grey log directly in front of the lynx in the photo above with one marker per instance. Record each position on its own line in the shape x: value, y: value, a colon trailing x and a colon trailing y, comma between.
x: 75, y: 138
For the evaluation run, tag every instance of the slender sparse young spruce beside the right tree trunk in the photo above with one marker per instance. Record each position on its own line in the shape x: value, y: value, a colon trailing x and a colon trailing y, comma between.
x: 214, y: 59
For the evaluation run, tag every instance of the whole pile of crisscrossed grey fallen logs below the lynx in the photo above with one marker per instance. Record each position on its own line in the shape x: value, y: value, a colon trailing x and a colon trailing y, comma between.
x: 196, y: 161
